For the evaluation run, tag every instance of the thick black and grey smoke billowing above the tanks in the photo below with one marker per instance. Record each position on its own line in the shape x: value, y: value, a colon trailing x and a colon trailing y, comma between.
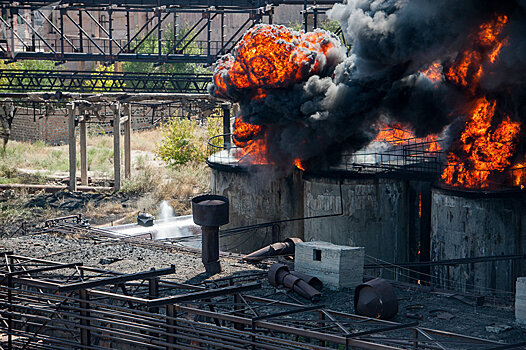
x: 392, y: 42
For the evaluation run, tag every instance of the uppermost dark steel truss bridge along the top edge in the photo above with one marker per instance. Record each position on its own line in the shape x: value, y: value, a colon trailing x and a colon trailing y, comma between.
x: 81, y: 46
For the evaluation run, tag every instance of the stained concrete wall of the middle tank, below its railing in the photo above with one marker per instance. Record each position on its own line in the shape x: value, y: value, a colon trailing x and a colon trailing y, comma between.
x: 384, y: 215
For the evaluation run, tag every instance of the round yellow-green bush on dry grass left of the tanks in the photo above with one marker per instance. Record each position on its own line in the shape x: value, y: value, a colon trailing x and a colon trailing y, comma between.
x: 182, y: 142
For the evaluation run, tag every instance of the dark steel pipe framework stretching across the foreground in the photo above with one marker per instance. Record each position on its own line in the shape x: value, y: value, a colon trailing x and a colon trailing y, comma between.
x: 50, y: 305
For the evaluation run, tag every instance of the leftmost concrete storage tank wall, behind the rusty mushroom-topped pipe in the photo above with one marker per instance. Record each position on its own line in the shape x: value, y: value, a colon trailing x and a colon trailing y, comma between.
x: 258, y: 196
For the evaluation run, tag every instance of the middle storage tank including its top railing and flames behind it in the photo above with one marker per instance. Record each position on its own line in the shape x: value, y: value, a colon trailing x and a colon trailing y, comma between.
x: 383, y: 195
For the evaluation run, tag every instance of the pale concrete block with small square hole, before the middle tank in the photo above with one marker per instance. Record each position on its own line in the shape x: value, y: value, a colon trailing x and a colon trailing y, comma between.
x: 337, y: 266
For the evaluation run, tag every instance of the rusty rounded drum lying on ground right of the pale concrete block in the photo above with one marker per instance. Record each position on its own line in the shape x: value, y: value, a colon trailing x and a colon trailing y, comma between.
x: 376, y: 298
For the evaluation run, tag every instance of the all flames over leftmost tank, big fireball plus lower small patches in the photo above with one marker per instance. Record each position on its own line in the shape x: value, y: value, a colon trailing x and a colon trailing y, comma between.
x: 270, y: 57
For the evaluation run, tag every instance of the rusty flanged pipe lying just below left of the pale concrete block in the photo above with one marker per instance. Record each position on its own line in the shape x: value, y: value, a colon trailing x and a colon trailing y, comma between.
x: 279, y: 275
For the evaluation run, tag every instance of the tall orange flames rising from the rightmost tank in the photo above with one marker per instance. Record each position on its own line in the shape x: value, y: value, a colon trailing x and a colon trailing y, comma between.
x: 489, y: 140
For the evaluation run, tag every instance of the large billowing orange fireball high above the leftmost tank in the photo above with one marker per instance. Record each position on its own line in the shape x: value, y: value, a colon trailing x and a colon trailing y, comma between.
x: 272, y: 57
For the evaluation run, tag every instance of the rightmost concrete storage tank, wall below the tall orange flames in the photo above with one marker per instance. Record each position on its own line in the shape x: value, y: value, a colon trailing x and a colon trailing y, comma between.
x: 469, y: 224
